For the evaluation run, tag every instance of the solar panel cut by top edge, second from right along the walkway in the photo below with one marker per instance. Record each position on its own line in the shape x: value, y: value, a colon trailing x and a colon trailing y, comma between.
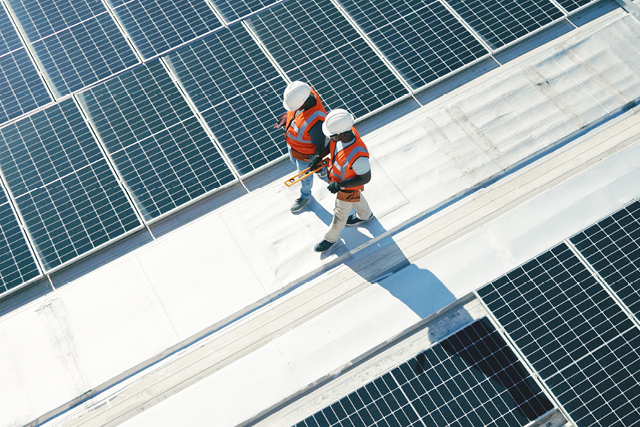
x: 500, y: 22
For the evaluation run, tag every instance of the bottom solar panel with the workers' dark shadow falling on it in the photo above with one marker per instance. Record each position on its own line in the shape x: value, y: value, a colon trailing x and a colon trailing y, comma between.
x: 470, y: 379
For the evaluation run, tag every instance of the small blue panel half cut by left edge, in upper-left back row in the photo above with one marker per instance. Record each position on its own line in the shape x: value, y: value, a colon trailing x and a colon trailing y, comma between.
x: 21, y: 89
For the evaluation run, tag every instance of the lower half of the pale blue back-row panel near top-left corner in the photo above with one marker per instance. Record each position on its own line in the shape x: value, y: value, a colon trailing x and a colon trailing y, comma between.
x: 84, y: 54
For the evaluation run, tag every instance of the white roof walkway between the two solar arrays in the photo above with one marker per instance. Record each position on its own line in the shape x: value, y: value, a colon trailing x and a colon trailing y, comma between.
x: 226, y: 317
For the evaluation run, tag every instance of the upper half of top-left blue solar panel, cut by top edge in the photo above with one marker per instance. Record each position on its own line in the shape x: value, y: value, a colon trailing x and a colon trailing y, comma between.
x: 42, y: 18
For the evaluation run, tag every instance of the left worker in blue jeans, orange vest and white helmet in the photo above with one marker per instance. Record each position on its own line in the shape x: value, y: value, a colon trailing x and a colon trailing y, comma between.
x: 302, y: 125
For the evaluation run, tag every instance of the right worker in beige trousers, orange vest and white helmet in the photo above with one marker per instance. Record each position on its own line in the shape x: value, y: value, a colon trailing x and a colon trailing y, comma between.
x: 348, y: 171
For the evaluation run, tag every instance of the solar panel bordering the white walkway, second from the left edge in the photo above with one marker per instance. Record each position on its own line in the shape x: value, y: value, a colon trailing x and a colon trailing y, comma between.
x: 67, y: 194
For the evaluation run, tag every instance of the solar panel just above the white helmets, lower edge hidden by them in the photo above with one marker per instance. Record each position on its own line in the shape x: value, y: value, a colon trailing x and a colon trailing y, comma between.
x: 313, y: 42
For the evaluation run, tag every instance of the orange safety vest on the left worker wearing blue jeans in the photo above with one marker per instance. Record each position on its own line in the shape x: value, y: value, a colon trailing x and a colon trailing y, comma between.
x: 298, y: 124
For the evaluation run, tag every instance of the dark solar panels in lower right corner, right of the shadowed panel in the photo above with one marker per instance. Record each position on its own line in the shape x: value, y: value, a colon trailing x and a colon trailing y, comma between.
x: 574, y: 333
